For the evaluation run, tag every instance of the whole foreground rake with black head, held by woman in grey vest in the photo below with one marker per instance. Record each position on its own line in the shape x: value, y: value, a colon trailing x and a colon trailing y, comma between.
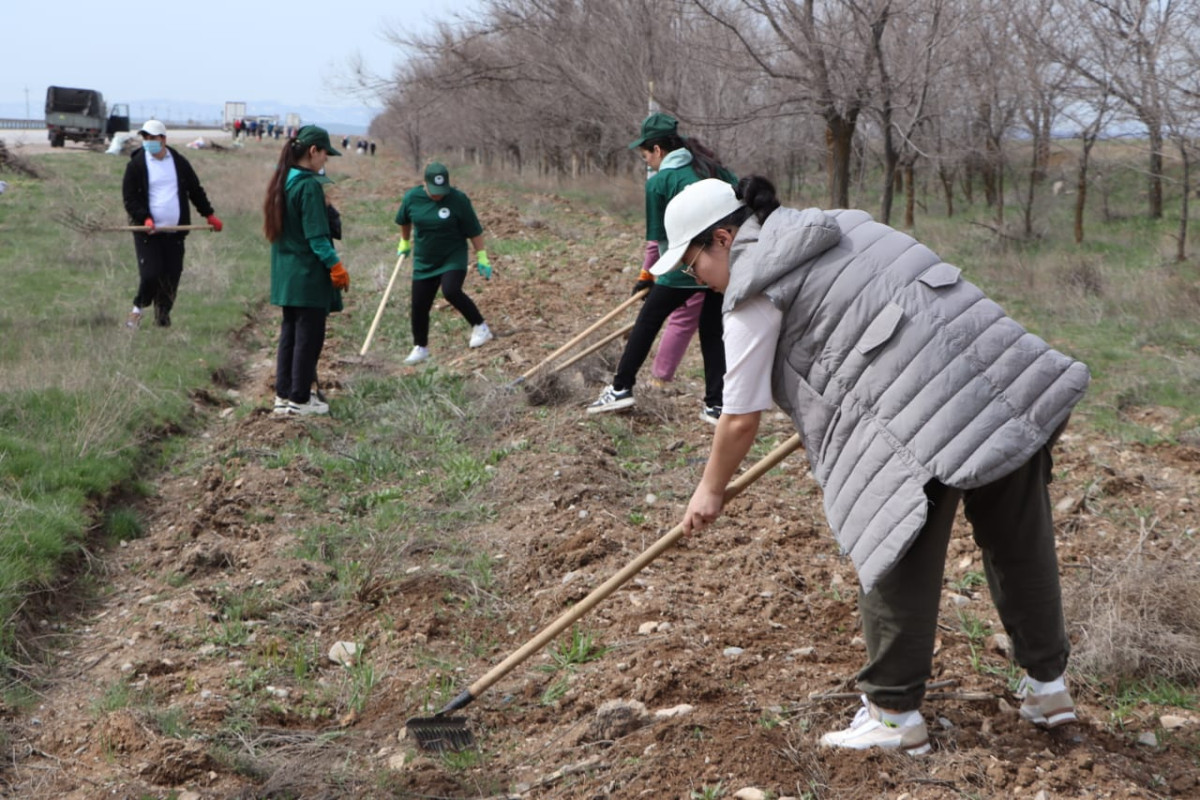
x: 441, y: 732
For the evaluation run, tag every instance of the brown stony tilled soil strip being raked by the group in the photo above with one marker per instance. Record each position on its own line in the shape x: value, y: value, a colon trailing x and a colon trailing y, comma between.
x: 725, y: 660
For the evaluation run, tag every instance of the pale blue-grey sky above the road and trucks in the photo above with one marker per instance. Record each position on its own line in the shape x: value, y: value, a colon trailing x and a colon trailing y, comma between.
x: 208, y: 52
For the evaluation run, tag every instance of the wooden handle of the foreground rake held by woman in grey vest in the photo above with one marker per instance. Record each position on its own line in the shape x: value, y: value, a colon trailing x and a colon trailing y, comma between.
x: 601, y: 593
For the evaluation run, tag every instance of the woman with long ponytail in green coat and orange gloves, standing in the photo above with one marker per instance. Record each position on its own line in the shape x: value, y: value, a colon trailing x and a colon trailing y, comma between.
x: 307, y: 272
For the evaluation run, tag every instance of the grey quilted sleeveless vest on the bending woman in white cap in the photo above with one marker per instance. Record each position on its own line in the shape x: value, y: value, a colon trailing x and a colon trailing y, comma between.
x: 896, y: 371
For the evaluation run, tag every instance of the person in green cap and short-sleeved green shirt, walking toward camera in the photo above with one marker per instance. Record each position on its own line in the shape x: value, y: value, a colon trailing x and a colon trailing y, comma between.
x: 443, y: 220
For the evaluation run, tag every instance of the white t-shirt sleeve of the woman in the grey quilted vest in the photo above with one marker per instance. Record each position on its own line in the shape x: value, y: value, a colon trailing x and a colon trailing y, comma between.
x: 752, y: 335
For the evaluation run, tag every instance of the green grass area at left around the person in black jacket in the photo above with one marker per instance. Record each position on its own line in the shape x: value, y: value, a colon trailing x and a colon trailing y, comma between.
x: 87, y: 402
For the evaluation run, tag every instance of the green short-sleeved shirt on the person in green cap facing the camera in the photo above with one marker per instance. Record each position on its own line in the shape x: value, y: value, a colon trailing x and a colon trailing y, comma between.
x: 441, y: 231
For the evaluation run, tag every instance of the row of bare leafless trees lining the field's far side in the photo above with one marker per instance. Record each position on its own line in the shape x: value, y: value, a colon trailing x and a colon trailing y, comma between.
x: 970, y: 93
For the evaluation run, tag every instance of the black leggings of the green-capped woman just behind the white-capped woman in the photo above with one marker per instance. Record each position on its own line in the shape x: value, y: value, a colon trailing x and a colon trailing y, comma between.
x: 658, y: 306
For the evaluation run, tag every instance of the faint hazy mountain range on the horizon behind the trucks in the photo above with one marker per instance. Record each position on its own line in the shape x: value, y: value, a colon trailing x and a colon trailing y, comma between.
x: 352, y: 121
